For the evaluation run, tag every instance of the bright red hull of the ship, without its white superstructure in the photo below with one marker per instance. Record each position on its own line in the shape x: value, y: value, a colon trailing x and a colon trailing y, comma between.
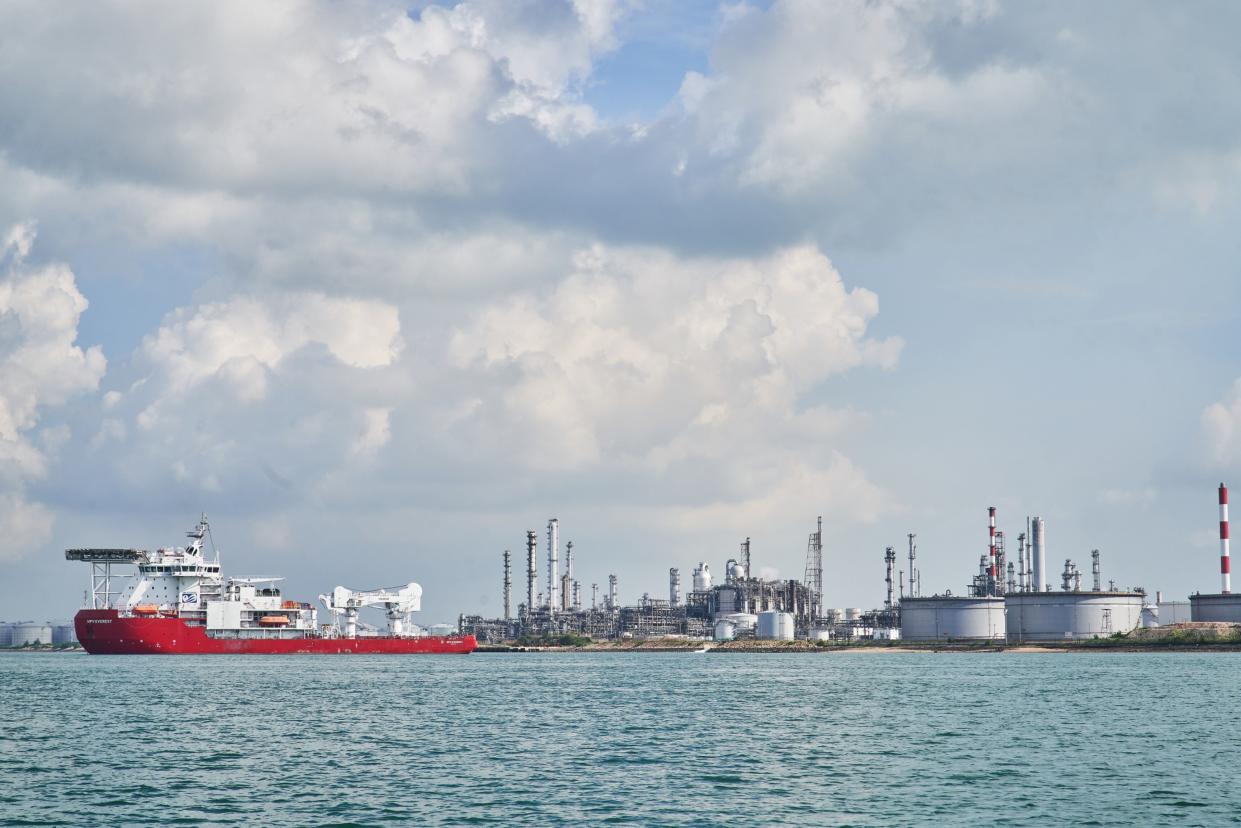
x: 105, y: 632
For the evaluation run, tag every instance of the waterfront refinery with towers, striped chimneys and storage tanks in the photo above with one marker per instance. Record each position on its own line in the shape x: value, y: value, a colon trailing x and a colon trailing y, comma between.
x: 1007, y: 600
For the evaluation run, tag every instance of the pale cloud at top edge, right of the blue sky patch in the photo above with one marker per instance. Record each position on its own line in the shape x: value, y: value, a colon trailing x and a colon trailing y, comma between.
x: 797, y: 95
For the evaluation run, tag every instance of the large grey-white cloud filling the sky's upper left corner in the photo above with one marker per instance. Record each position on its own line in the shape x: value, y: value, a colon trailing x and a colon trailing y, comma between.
x: 298, y: 96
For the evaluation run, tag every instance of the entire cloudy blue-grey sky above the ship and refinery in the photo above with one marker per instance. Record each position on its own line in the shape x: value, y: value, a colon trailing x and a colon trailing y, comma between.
x: 380, y: 287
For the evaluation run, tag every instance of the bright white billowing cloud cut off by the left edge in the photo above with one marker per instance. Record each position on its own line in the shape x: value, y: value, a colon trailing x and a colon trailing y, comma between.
x: 42, y: 367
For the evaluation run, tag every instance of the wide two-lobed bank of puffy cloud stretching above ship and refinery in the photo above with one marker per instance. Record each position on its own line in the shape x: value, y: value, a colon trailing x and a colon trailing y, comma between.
x: 641, y: 377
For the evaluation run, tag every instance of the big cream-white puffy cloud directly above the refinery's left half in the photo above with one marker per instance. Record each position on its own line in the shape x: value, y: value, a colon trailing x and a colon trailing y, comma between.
x: 673, y: 371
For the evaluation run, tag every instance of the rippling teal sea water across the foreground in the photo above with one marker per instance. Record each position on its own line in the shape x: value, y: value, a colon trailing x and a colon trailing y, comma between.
x: 863, y: 739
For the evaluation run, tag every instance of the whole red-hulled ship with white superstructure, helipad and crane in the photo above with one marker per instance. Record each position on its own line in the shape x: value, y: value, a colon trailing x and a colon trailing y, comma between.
x: 179, y: 604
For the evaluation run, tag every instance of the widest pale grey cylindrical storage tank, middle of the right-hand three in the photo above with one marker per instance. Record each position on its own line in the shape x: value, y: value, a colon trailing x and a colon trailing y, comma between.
x: 1065, y: 616
